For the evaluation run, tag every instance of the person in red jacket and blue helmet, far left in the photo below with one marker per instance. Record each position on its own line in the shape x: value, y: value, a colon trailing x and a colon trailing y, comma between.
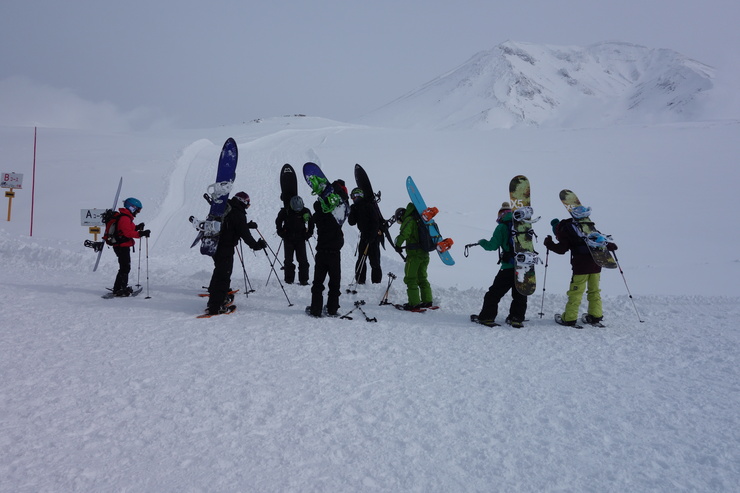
x: 125, y: 234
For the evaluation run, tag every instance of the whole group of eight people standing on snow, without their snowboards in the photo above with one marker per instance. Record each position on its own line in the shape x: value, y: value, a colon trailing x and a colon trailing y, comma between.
x: 295, y: 224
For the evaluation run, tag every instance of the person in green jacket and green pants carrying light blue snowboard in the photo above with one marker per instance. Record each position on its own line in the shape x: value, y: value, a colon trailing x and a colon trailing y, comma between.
x: 418, y: 289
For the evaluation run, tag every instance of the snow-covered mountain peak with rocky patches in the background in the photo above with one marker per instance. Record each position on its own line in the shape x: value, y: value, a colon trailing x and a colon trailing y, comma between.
x: 524, y: 84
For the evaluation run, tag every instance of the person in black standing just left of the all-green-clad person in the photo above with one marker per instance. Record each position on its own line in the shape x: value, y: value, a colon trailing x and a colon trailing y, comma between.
x: 362, y: 213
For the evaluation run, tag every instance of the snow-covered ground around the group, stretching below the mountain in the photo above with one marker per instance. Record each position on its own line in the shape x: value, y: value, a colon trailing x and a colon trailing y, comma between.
x: 138, y: 395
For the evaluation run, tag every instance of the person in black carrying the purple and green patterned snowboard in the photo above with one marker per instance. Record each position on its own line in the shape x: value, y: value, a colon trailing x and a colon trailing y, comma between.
x: 328, y: 261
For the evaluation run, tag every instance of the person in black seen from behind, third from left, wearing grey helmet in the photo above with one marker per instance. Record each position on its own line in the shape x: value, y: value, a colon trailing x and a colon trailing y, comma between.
x: 294, y: 225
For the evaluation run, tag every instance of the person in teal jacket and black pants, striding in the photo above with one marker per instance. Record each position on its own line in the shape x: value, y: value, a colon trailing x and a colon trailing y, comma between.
x: 504, y: 280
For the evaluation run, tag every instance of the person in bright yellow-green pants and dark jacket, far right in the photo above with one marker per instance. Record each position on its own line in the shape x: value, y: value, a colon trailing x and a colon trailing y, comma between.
x: 586, y: 273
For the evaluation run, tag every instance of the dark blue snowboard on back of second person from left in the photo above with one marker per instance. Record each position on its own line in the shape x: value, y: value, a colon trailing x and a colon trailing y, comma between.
x: 218, y: 196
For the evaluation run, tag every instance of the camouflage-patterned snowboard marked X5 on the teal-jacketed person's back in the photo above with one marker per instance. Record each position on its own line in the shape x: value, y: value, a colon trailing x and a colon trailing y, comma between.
x: 523, y: 235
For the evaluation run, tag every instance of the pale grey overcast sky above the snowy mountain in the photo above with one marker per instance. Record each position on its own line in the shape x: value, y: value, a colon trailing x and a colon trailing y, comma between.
x: 216, y: 62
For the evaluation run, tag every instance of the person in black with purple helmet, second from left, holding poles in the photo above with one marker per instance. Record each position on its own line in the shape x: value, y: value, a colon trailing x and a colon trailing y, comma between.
x: 233, y: 228
